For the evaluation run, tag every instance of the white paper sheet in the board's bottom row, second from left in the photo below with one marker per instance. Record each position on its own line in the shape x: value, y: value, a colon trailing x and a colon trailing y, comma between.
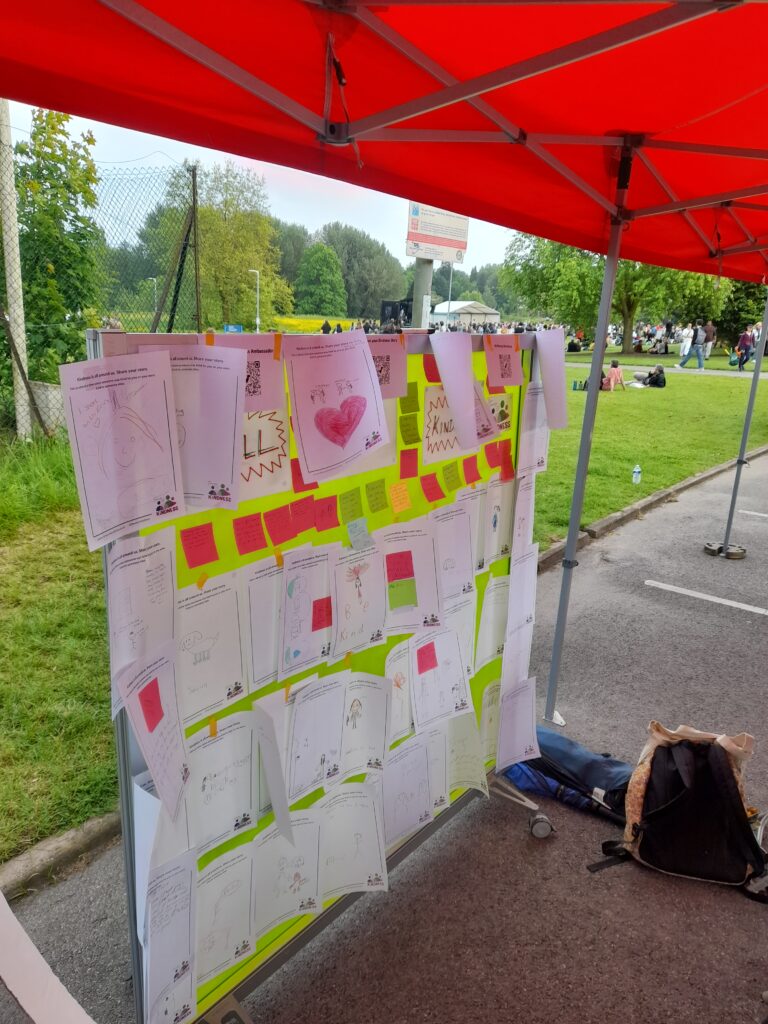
x: 225, y: 913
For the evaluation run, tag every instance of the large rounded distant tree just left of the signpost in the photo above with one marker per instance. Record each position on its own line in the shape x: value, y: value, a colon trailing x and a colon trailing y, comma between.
x: 370, y: 272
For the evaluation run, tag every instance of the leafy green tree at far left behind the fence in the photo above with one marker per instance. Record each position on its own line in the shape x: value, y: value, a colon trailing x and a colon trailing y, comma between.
x: 59, y: 241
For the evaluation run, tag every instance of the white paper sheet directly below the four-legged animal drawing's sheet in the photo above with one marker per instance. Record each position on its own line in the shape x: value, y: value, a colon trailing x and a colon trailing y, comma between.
x: 224, y: 794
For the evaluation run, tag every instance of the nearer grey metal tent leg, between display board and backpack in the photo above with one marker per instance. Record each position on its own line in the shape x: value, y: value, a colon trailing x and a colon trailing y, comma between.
x: 580, y: 483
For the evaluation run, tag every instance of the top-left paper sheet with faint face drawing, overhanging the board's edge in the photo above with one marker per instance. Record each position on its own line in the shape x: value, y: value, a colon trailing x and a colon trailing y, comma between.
x: 120, y: 421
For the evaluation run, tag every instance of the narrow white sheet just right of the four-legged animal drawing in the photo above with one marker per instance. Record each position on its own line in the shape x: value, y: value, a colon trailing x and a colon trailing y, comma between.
x: 264, y: 584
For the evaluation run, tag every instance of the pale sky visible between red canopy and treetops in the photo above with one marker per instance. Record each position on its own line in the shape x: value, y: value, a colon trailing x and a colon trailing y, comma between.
x: 294, y: 196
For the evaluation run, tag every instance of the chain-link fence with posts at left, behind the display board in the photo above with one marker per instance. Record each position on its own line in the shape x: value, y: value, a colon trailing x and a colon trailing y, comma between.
x: 142, y: 275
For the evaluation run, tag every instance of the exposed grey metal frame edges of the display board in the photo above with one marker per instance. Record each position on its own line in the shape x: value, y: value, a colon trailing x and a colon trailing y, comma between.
x: 131, y: 763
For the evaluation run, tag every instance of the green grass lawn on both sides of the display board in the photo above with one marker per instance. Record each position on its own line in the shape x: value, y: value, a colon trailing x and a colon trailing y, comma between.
x: 57, y: 757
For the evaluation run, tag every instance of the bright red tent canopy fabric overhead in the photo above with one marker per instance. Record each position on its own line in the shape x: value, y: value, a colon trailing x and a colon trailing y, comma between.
x: 517, y: 113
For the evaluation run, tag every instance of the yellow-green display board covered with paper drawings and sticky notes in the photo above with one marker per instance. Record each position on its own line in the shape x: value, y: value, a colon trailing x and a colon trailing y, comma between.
x: 318, y: 652
